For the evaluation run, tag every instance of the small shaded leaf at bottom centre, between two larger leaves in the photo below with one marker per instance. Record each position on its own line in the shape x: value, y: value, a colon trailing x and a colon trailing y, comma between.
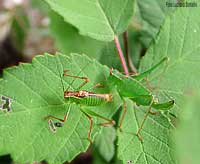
x: 105, y: 143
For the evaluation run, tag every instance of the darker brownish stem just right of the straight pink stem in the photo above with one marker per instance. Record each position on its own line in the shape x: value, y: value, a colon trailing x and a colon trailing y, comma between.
x: 128, y: 57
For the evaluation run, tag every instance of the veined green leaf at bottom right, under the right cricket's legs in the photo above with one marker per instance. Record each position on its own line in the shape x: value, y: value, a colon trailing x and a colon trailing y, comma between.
x: 156, y: 147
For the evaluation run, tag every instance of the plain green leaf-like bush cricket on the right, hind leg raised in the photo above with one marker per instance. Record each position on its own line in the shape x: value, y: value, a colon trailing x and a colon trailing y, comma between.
x: 131, y: 87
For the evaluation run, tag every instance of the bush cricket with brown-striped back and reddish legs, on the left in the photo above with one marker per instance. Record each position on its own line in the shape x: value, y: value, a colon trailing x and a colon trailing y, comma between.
x: 83, y: 98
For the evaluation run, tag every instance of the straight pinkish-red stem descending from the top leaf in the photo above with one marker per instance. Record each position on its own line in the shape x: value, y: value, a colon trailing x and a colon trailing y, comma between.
x: 121, y: 55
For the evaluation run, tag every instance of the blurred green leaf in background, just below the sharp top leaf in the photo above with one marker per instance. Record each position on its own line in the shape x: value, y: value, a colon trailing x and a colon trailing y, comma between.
x: 68, y: 39
